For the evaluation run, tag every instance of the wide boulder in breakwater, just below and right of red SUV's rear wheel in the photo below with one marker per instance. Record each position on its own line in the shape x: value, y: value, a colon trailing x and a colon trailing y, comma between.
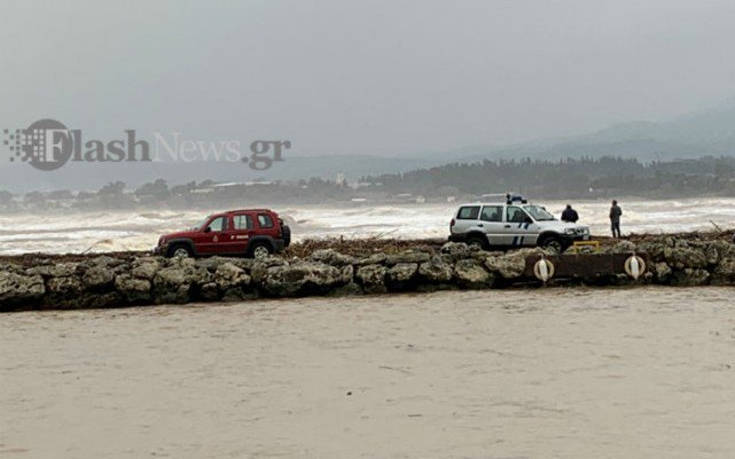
x: 304, y: 278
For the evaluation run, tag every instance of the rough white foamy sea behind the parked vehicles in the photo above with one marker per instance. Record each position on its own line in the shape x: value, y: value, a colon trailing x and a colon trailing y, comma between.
x: 111, y: 230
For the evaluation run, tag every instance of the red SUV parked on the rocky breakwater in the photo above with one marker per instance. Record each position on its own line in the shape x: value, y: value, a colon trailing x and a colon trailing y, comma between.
x: 252, y: 232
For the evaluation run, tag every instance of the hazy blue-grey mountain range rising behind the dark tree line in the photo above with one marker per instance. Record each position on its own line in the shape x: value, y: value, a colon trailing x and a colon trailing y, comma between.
x: 710, y: 132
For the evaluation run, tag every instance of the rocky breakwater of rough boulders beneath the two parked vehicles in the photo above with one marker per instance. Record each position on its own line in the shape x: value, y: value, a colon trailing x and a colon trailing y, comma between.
x: 104, y: 281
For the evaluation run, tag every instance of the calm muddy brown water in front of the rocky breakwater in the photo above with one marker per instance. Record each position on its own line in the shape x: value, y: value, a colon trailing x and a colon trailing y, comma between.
x: 645, y: 372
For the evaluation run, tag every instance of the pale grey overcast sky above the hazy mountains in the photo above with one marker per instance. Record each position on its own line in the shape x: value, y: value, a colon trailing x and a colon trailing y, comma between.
x: 363, y: 77
